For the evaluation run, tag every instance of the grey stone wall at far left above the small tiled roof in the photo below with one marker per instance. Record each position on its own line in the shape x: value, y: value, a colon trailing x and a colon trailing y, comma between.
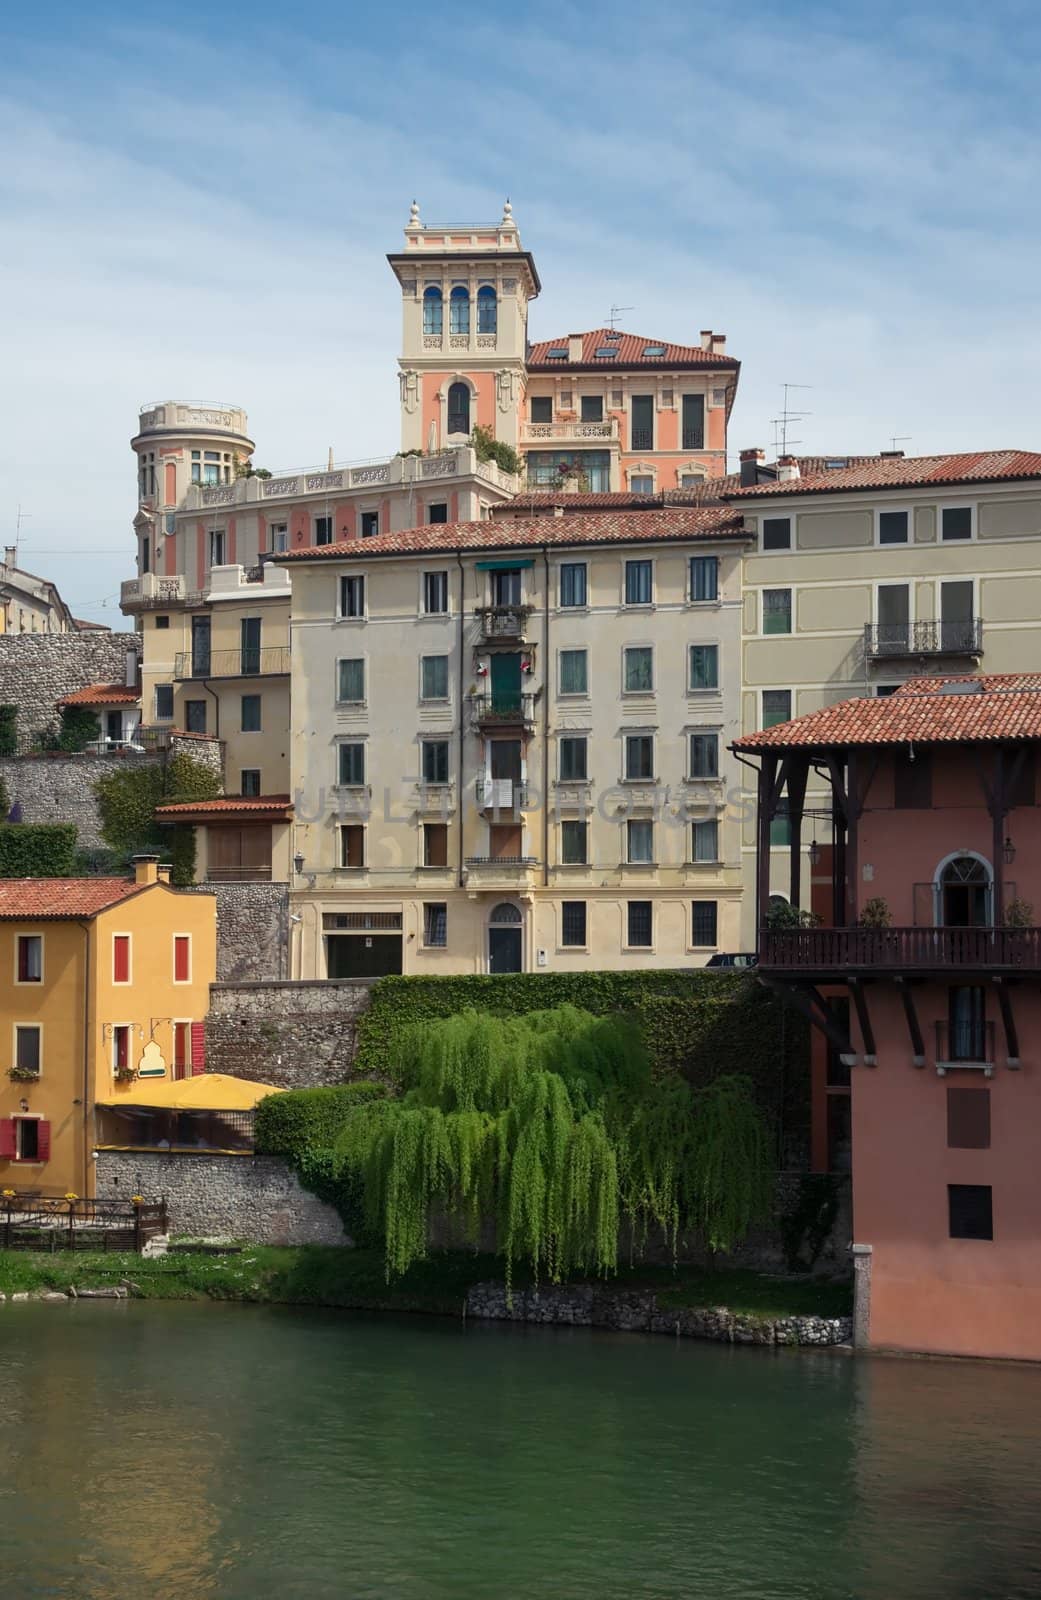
x: 38, y: 670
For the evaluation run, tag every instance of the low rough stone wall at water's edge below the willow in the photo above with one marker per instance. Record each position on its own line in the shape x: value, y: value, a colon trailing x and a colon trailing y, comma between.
x: 634, y: 1311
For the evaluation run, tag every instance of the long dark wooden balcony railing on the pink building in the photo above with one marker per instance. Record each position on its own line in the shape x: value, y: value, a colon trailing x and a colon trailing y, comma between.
x: 834, y: 953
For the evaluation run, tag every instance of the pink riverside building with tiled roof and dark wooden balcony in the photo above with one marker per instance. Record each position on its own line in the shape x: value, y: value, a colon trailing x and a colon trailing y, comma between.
x: 925, y: 980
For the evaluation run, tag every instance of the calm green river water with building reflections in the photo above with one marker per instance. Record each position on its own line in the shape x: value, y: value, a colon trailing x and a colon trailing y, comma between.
x: 158, y: 1452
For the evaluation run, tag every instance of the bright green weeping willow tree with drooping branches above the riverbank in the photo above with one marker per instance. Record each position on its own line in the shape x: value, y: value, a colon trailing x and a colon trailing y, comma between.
x: 551, y: 1126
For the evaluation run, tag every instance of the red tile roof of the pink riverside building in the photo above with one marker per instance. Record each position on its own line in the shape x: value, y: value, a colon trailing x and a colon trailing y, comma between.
x: 925, y: 711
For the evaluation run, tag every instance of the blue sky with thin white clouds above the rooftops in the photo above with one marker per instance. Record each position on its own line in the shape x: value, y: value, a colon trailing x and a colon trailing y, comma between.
x: 196, y: 202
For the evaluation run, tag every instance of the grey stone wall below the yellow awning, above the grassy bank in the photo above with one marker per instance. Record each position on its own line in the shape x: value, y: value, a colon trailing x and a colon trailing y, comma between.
x: 223, y: 1196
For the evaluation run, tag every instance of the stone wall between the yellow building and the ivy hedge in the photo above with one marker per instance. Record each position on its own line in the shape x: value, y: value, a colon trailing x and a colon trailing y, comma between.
x: 290, y: 1034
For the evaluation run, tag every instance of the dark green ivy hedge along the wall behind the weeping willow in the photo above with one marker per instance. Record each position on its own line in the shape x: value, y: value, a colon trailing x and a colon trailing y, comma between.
x: 700, y: 1023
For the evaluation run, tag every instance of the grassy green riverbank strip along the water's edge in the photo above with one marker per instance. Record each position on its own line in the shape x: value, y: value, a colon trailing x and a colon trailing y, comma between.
x: 314, y: 1276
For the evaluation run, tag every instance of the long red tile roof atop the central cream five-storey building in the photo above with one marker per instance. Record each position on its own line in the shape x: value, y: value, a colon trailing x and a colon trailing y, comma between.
x: 624, y: 527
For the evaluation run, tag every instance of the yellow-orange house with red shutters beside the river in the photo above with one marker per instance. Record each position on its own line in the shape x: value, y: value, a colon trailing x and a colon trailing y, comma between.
x: 103, y: 982
